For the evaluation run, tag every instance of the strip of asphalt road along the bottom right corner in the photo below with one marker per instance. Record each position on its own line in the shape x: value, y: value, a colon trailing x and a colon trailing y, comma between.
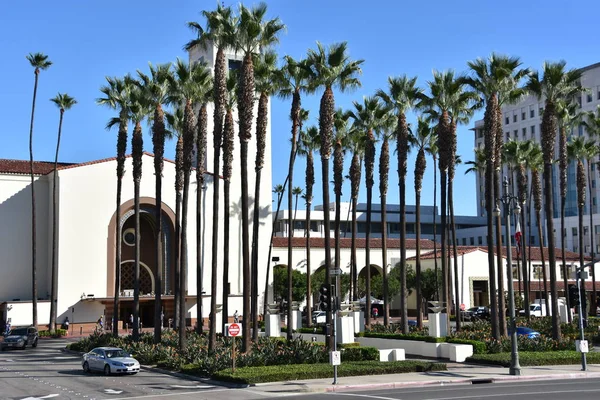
x: 580, y: 389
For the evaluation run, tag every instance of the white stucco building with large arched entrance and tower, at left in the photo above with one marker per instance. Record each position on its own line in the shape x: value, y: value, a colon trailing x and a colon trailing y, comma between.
x: 86, y: 204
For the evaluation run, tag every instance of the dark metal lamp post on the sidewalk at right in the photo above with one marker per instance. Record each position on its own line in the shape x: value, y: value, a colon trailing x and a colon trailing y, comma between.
x: 509, y: 201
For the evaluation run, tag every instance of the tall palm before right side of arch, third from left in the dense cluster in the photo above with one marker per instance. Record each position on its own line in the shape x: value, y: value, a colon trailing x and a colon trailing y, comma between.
x: 155, y: 88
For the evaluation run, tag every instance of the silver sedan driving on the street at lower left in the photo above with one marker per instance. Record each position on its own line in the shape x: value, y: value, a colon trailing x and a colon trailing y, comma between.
x: 110, y: 360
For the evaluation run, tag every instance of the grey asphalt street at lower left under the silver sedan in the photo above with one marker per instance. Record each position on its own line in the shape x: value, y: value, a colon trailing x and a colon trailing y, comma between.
x: 47, y: 373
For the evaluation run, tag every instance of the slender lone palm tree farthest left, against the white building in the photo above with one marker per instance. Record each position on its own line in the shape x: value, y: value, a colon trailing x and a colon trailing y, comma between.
x: 39, y: 62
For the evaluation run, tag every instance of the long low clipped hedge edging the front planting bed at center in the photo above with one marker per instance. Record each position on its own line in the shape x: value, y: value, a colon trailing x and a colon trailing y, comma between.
x: 276, y: 373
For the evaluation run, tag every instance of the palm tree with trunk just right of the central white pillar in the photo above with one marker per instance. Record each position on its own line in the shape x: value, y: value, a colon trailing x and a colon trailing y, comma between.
x: 369, y: 118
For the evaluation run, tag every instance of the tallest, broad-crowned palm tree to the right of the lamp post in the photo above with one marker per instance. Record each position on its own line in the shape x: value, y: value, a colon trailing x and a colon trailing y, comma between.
x: 556, y: 84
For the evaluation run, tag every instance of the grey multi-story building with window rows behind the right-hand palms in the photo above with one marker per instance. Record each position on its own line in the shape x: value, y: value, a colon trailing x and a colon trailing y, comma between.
x: 522, y: 121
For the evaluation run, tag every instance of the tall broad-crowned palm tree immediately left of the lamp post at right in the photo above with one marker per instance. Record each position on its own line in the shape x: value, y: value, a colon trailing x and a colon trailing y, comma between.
x: 496, y: 80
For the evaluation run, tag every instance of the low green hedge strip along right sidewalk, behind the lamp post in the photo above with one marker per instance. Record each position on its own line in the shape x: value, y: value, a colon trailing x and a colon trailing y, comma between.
x: 567, y: 357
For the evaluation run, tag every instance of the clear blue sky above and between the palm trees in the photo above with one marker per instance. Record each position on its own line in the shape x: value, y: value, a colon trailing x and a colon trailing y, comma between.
x: 88, y: 40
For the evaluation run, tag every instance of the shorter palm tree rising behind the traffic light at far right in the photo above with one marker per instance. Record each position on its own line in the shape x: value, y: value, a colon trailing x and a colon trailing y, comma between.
x: 579, y: 149
